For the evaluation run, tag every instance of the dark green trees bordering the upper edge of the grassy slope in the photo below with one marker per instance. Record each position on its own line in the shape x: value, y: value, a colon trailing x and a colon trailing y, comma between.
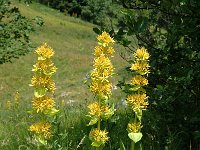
x: 100, y: 12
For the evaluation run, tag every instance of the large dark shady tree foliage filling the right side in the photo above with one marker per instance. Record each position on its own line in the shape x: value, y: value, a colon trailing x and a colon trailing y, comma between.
x: 170, y: 31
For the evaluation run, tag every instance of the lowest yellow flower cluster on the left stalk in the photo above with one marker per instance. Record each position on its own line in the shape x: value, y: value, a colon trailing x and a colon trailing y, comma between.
x: 42, y: 129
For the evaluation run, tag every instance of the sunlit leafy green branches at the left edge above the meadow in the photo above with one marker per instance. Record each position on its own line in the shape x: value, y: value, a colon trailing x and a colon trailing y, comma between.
x: 14, y: 32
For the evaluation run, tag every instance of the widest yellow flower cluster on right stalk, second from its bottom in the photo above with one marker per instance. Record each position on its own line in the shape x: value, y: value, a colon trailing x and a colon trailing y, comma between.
x: 137, y: 101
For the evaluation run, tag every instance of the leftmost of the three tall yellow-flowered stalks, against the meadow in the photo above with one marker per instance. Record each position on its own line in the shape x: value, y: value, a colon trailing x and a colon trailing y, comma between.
x: 43, y: 105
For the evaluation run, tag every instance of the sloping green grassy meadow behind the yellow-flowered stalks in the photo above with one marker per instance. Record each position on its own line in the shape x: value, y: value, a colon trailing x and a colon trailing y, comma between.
x: 73, y: 41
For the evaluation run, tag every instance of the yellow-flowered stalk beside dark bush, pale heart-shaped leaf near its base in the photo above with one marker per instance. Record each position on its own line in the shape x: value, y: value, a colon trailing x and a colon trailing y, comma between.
x: 138, y: 100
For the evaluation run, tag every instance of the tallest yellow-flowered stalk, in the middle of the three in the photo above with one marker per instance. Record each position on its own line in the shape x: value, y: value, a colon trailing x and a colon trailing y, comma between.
x: 101, y: 87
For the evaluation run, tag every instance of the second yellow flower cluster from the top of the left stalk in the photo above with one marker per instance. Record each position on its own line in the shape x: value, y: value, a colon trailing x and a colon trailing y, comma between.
x: 44, y: 66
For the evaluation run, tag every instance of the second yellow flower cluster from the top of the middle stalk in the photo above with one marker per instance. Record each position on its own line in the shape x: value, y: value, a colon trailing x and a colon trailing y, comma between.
x: 99, y: 50
